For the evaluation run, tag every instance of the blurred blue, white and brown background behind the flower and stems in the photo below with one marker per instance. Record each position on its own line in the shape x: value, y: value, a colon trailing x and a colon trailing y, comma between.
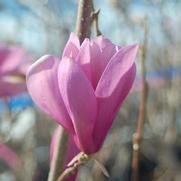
x: 42, y: 27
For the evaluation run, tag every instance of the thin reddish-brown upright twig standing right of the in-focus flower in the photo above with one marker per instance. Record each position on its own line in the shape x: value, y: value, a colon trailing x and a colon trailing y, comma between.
x: 137, y: 136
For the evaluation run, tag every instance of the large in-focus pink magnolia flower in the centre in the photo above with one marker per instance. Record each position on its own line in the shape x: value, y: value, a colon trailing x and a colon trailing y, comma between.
x: 84, y: 89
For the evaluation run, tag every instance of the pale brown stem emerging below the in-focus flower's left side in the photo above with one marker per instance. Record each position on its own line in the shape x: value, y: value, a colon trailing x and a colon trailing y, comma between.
x: 57, y: 164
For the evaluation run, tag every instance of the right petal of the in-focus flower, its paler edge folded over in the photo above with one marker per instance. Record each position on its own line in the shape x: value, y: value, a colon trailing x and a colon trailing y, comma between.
x: 112, y: 89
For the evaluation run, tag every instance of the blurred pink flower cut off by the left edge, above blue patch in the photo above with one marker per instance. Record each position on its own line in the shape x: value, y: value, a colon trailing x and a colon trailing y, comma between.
x: 13, y: 65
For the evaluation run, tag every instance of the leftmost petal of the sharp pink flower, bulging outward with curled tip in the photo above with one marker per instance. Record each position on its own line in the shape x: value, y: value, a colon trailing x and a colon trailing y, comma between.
x: 43, y: 87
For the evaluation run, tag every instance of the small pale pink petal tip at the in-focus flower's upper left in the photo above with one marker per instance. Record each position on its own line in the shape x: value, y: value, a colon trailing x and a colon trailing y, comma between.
x: 71, y: 49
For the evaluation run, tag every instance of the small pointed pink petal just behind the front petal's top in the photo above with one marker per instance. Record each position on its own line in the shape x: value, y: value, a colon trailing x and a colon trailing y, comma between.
x: 83, y: 58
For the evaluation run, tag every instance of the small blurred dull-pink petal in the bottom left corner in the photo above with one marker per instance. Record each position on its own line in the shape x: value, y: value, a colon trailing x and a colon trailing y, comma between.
x: 9, y: 156
